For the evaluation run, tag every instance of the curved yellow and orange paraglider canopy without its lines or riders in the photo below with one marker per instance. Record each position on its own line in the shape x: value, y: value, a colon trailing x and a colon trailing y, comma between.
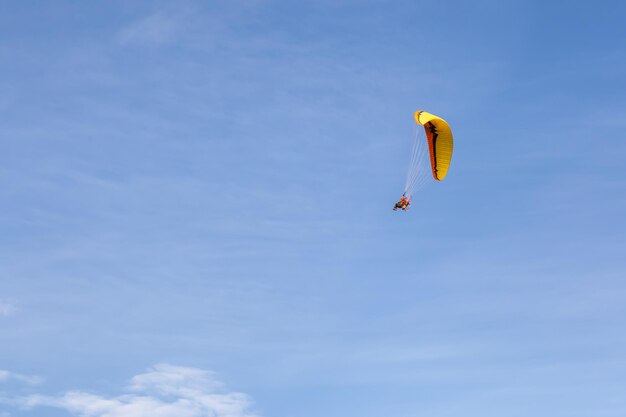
x: 440, y: 142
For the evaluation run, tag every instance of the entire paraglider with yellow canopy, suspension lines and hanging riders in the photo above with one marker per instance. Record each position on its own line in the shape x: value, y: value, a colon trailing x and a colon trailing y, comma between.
x: 434, y: 150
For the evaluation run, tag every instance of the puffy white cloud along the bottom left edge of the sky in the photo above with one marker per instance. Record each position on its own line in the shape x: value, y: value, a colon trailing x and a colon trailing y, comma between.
x: 163, y: 391
